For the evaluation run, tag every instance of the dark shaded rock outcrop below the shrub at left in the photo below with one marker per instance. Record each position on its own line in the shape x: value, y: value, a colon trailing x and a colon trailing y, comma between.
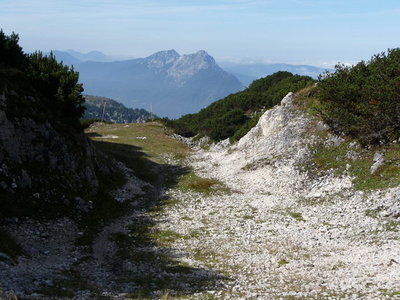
x: 40, y: 161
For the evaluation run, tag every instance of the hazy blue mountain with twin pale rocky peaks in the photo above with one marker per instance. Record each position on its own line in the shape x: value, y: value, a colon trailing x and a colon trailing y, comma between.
x: 169, y: 83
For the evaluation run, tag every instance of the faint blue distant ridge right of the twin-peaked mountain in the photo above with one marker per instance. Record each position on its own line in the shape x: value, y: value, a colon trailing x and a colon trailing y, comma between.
x: 247, y: 73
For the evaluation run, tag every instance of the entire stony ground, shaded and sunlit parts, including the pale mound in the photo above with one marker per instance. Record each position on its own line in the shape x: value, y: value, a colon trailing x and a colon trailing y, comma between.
x: 265, y: 230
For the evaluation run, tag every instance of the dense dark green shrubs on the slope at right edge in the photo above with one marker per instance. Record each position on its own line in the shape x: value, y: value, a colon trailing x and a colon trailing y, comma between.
x: 363, y: 101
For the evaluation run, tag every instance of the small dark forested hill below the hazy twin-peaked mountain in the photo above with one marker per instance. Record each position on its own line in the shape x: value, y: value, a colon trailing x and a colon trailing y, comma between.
x: 113, y: 111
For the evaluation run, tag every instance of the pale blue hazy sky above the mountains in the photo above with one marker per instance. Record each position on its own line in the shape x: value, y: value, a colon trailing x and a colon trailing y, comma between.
x: 318, y: 32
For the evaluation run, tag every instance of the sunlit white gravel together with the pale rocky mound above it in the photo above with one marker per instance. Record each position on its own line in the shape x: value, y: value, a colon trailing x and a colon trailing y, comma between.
x: 278, y: 234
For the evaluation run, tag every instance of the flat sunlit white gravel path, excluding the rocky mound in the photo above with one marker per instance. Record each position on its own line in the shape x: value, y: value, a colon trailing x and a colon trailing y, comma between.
x: 272, y: 242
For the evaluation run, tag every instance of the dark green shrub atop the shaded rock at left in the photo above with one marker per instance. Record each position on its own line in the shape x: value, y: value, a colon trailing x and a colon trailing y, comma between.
x: 54, y: 84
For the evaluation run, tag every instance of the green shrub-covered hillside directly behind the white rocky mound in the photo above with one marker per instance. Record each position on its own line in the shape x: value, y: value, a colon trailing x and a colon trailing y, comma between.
x: 233, y: 116
